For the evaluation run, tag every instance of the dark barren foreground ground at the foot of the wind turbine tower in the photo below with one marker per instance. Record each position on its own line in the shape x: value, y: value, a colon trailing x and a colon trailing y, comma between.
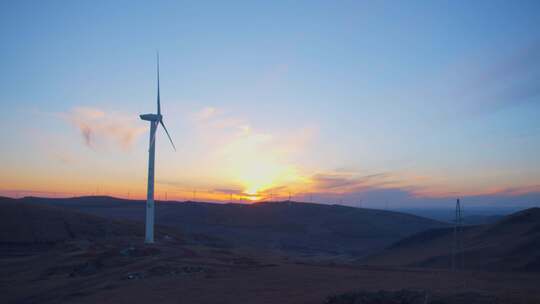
x: 172, y: 272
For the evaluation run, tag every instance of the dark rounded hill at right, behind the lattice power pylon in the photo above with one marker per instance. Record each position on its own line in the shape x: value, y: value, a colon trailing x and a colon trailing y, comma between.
x: 510, y: 244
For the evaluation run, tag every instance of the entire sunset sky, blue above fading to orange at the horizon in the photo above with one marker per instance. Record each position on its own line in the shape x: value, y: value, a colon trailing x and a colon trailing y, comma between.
x: 385, y: 102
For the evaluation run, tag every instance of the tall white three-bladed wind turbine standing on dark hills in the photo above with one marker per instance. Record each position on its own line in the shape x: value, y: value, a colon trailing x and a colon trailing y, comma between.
x: 155, y: 120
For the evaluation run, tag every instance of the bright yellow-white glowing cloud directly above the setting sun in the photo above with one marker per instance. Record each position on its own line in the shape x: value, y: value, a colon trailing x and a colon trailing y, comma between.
x: 246, y: 154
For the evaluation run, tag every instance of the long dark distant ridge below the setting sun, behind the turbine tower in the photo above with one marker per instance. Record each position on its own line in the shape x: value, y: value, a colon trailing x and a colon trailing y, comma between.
x: 300, y: 228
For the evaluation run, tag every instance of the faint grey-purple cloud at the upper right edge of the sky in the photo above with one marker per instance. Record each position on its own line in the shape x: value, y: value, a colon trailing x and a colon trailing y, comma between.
x: 485, y: 86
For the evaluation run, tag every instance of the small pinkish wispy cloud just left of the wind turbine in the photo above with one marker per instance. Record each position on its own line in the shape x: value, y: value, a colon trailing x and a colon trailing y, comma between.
x: 99, y: 128
